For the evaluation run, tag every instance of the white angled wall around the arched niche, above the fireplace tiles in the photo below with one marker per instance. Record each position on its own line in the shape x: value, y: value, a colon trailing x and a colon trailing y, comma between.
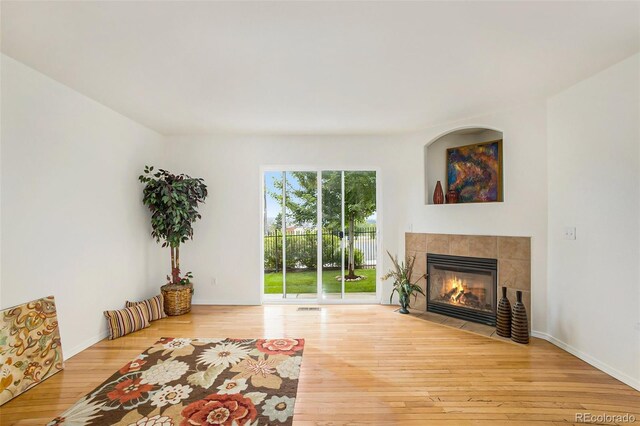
x: 524, y: 210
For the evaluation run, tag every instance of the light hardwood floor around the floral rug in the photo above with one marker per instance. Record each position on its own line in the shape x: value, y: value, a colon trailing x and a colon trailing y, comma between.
x: 369, y: 364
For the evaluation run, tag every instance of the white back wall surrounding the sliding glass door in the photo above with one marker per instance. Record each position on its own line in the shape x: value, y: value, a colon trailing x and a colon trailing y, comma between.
x: 226, y: 243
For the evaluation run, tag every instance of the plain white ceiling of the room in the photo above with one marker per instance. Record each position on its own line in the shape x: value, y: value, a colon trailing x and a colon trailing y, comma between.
x: 315, y: 67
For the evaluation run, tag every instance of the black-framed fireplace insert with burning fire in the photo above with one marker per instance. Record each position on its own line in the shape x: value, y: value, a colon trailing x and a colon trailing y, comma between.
x: 462, y: 287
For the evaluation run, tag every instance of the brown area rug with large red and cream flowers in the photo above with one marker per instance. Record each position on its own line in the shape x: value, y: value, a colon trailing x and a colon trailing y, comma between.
x: 190, y: 382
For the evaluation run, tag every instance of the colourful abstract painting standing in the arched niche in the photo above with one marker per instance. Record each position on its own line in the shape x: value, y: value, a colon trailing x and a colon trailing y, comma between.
x: 475, y: 172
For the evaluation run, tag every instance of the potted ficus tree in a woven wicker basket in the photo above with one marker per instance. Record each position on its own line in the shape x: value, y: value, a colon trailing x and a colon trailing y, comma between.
x: 173, y: 201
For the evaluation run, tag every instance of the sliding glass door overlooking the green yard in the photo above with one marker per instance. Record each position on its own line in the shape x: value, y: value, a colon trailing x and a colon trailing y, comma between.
x: 320, y: 231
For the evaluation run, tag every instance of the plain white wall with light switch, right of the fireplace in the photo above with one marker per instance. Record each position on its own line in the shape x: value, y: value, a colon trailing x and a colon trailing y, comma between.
x: 594, y: 175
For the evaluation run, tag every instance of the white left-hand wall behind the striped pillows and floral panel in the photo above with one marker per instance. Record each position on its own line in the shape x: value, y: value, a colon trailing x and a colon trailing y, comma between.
x: 73, y: 224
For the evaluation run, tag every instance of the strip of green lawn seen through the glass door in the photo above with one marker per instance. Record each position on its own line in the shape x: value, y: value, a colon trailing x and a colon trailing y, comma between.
x: 305, y: 282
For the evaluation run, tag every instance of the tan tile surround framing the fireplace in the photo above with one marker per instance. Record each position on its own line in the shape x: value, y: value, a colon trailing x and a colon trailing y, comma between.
x: 513, y: 255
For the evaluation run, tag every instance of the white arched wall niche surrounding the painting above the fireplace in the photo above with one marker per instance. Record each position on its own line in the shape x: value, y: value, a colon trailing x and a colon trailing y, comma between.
x: 435, y: 152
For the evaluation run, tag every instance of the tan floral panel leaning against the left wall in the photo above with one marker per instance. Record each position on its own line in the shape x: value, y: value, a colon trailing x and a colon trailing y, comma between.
x: 30, y: 348
